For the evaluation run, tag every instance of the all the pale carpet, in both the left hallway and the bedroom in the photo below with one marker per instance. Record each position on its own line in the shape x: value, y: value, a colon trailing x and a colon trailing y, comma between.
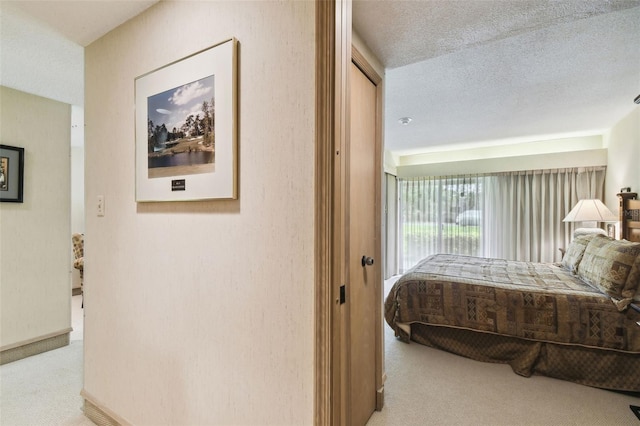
x: 424, y: 386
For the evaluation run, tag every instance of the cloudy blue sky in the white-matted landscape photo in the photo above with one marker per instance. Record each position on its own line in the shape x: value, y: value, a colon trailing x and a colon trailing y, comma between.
x: 174, y: 106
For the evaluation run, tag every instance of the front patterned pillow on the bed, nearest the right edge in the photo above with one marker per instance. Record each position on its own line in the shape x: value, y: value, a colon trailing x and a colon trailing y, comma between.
x: 612, y: 266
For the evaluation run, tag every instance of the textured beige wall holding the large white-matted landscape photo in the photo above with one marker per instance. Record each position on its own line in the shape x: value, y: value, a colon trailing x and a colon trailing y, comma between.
x: 202, y: 312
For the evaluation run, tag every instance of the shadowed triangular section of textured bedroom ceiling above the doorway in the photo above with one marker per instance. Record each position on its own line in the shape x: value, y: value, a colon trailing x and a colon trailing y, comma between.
x: 404, y: 32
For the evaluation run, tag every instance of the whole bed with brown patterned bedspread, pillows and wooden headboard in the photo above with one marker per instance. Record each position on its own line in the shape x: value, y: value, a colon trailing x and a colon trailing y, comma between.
x: 578, y: 320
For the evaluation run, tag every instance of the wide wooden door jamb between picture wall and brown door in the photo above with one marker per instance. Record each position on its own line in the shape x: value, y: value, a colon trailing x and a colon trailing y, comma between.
x: 333, y: 19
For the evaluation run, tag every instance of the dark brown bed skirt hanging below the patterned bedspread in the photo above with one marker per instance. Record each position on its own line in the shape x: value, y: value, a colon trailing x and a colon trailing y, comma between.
x: 601, y: 368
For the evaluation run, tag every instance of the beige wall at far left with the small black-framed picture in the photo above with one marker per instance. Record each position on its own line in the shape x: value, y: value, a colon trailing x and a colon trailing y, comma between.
x: 35, y: 261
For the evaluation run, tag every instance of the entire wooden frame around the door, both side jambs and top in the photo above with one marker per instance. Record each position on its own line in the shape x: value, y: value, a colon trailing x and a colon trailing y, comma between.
x: 333, y: 59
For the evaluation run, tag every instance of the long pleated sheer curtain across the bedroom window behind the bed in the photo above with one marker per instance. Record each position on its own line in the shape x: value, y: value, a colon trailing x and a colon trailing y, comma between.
x: 514, y: 215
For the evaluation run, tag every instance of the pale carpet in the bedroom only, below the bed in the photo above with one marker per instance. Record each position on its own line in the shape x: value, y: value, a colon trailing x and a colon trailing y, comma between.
x: 429, y: 386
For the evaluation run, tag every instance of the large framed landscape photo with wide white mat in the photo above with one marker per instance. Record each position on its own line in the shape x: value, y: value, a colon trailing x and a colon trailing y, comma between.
x: 186, y: 128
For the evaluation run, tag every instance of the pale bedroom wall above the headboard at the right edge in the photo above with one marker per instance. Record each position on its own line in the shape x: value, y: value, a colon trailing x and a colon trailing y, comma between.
x: 623, y: 145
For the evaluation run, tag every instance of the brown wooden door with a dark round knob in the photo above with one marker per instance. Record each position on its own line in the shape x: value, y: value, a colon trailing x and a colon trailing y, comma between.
x: 364, y: 282
